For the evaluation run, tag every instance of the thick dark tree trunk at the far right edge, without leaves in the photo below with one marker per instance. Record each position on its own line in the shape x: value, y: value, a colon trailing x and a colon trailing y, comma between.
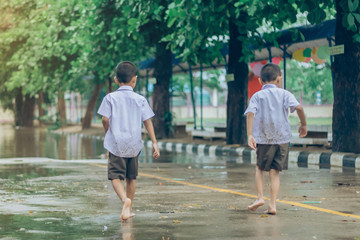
x: 346, y: 110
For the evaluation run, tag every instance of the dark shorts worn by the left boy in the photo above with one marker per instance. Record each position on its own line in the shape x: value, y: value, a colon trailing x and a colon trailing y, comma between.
x: 121, y: 168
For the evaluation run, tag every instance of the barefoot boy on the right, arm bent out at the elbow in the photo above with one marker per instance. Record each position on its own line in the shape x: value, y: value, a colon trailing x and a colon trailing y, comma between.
x: 269, y: 132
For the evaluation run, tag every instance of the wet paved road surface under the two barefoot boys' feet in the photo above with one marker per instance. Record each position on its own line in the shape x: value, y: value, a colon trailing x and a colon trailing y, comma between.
x: 179, y: 196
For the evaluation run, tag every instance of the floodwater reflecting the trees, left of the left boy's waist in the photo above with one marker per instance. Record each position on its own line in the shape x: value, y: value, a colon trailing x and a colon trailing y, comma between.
x: 39, y: 142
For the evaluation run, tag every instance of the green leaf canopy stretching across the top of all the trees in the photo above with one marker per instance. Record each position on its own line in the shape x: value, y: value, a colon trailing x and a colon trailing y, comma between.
x: 56, y: 43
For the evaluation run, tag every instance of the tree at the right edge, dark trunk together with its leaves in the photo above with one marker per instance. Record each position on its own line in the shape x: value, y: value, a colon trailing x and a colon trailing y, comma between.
x: 346, y: 68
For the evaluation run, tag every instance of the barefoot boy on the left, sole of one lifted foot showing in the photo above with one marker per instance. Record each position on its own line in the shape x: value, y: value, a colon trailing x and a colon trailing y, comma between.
x: 123, y: 112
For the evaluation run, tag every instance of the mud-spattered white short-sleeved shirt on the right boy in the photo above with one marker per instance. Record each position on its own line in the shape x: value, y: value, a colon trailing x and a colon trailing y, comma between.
x: 270, y: 106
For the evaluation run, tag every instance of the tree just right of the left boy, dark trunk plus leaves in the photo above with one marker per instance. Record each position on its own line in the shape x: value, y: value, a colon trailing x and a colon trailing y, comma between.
x: 147, y: 22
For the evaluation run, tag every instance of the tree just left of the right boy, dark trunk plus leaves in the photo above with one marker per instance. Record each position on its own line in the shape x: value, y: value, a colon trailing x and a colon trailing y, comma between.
x: 200, y: 32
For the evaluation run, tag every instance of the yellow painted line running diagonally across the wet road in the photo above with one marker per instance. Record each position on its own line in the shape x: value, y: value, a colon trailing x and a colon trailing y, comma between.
x: 241, y: 194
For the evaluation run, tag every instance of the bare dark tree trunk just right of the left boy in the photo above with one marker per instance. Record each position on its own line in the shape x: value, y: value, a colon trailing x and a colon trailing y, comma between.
x: 161, y: 96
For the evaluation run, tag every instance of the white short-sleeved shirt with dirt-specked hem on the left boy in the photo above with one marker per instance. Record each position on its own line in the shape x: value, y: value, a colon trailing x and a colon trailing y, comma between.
x: 126, y: 110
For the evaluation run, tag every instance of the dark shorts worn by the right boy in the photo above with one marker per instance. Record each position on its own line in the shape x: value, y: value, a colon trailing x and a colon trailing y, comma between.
x: 272, y: 156
